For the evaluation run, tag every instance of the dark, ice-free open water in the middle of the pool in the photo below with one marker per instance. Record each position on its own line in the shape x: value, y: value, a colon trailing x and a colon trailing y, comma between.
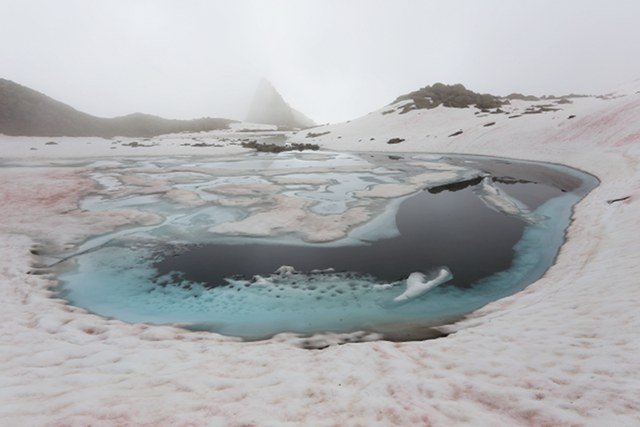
x: 450, y: 228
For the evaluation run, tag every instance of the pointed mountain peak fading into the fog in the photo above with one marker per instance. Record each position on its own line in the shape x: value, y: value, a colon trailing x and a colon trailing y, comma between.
x: 268, y: 107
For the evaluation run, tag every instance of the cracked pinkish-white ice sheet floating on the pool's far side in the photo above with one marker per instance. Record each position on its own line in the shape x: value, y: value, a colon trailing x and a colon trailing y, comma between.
x: 308, y: 198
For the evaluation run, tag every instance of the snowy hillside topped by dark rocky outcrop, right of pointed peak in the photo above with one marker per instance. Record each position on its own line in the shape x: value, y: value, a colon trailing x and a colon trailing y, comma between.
x: 439, y: 117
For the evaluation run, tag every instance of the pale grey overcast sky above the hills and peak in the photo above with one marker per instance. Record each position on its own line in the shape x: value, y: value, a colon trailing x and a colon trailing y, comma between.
x: 332, y: 60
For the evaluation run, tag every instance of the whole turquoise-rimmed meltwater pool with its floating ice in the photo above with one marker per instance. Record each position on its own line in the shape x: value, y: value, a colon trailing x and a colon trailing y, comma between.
x: 309, y: 242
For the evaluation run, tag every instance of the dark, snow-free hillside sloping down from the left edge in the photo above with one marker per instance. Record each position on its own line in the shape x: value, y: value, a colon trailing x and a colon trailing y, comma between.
x: 26, y: 112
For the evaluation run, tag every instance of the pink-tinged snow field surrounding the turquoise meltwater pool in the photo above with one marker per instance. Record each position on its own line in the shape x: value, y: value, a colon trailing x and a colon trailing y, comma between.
x: 562, y: 352
